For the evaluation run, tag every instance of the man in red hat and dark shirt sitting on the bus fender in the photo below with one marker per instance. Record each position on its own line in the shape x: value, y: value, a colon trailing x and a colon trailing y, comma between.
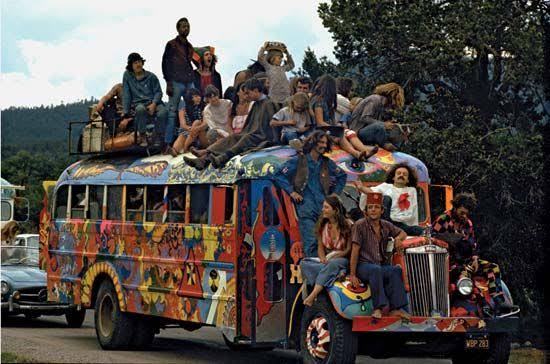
x: 368, y: 262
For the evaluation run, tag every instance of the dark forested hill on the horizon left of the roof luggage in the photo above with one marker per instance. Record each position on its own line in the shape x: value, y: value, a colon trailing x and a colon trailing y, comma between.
x: 41, y: 129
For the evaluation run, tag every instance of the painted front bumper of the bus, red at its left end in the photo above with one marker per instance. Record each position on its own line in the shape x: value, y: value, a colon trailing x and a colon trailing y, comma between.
x: 453, y: 325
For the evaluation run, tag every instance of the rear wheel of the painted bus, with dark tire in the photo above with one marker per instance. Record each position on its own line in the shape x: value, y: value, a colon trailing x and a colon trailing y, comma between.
x: 114, y: 329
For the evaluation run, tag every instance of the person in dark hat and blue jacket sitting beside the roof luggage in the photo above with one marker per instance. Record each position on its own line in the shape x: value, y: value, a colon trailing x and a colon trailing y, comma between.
x: 142, y: 96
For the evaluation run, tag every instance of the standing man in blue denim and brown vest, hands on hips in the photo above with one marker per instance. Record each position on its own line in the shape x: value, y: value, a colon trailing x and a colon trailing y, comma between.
x: 308, y: 178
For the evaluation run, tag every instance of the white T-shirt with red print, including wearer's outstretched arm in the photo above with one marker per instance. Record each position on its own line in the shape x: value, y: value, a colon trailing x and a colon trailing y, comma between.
x: 404, y: 207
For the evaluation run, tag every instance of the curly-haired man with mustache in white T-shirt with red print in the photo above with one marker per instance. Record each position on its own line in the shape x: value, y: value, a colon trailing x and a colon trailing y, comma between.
x: 400, y: 198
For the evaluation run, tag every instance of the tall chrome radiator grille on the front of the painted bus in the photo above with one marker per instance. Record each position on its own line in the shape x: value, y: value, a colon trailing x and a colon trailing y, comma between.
x: 428, y: 276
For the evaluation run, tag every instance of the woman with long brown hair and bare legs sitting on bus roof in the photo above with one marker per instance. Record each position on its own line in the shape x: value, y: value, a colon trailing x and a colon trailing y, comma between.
x: 324, y: 104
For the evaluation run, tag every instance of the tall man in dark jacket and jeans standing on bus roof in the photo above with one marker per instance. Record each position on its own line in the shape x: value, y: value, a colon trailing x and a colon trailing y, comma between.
x: 178, y: 73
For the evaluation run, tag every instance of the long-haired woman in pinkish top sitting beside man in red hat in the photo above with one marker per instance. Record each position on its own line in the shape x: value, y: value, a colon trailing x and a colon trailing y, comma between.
x: 334, y: 246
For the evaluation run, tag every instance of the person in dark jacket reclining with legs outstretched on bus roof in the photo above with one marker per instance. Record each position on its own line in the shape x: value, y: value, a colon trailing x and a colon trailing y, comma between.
x: 256, y: 133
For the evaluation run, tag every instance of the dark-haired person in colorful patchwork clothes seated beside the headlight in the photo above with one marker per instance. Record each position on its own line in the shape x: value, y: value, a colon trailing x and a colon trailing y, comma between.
x: 456, y: 227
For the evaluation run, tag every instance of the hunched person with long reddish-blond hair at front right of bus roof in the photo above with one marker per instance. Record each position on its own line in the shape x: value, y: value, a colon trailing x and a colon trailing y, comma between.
x: 371, y: 120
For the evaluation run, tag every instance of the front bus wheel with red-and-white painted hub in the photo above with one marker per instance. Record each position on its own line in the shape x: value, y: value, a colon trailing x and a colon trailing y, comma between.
x: 339, y: 344
